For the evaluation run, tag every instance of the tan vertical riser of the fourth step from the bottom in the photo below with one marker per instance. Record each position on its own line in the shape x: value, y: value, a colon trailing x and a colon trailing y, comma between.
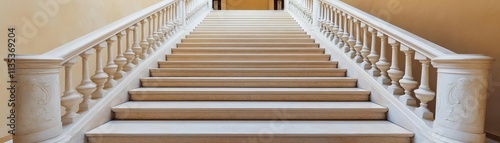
x: 247, y: 83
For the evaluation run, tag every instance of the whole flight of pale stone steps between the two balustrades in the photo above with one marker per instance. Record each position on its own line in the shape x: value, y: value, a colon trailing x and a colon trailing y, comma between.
x: 249, y: 77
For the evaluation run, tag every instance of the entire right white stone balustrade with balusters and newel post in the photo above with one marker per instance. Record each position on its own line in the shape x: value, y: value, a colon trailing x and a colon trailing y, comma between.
x: 374, y: 48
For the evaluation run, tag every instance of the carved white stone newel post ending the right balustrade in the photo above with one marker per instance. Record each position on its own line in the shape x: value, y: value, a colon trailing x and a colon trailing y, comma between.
x: 461, y: 97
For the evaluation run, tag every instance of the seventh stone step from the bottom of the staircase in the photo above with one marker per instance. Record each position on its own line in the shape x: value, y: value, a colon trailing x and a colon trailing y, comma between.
x: 248, y: 57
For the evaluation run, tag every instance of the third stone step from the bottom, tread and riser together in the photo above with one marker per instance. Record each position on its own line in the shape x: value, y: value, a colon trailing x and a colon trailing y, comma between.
x: 249, y: 94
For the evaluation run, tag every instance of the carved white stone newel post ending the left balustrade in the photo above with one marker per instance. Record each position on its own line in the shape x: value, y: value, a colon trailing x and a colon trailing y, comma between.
x: 38, y: 101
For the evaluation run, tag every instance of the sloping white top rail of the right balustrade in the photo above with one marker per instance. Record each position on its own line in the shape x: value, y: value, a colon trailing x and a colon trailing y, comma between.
x: 419, y: 44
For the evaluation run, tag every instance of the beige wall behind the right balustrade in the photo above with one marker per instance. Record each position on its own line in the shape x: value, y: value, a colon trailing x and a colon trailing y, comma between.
x: 463, y: 26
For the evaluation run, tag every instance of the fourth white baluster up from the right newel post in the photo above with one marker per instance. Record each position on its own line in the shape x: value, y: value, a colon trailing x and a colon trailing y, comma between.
x: 382, y: 64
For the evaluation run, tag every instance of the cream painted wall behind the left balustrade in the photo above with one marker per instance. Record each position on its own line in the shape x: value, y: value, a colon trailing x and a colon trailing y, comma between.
x: 46, y: 24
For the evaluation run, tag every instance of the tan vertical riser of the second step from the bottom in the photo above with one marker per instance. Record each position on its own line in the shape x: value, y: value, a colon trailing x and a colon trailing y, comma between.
x: 248, y: 114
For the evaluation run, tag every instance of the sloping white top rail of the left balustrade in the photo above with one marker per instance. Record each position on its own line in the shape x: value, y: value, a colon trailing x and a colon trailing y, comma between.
x: 88, y: 41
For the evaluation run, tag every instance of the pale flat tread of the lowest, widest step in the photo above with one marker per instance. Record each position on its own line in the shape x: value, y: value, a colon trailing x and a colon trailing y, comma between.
x: 241, y: 128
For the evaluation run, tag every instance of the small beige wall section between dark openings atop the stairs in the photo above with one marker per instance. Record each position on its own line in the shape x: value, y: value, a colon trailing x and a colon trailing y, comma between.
x: 247, y: 4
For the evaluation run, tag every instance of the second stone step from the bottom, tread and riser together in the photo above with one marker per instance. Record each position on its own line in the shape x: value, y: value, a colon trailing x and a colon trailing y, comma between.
x: 248, y: 110
